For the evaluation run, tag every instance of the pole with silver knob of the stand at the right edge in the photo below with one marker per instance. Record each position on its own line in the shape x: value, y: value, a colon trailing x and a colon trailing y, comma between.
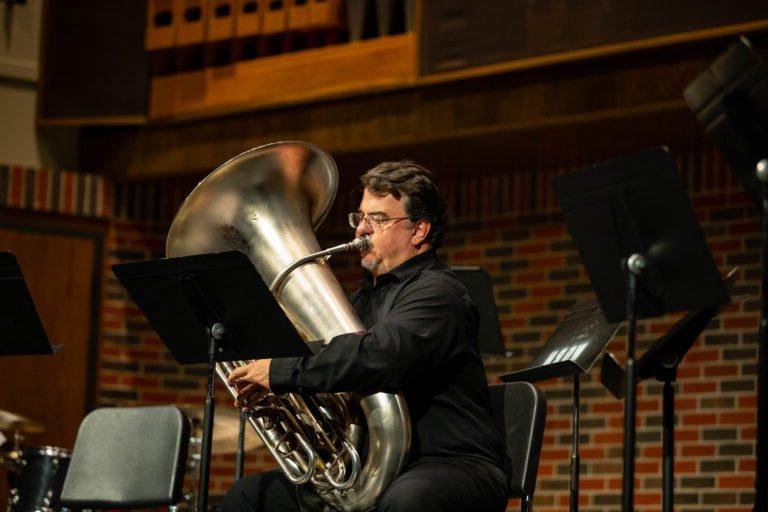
x: 761, y: 496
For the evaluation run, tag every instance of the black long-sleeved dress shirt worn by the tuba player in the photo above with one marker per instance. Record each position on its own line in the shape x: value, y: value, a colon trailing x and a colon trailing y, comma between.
x: 421, y: 342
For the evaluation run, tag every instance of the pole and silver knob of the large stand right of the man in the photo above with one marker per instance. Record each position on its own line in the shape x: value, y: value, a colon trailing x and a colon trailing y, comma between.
x: 634, y: 267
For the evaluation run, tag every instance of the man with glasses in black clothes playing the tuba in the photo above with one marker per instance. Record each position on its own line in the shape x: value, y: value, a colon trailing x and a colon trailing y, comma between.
x: 421, y: 341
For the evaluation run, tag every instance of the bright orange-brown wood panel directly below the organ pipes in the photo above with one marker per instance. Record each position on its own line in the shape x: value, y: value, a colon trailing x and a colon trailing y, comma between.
x: 311, y: 74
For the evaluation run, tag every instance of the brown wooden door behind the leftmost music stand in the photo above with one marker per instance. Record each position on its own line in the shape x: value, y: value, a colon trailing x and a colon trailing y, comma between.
x: 63, y: 271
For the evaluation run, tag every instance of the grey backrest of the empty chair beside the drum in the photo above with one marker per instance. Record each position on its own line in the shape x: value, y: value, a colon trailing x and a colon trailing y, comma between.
x: 128, y: 457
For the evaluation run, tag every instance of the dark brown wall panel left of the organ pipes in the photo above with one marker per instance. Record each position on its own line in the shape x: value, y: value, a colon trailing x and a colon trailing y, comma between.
x: 94, y: 67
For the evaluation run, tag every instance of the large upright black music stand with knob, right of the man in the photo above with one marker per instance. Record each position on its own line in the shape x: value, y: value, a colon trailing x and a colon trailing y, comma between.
x: 644, y: 252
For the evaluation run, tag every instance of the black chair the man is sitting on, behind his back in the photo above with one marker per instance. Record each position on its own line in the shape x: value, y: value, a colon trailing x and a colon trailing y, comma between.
x: 520, y: 411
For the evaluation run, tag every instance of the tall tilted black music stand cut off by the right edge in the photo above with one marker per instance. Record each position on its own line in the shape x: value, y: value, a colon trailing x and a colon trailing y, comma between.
x: 730, y: 100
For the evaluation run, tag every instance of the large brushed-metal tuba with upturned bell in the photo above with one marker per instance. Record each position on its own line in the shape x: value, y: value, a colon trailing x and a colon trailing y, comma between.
x: 266, y: 203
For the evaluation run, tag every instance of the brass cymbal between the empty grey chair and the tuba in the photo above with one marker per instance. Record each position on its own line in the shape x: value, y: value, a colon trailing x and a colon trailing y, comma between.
x: 226, y: 428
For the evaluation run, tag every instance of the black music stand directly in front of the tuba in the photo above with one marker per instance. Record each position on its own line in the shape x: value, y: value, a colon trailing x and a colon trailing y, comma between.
x: 210, y: 308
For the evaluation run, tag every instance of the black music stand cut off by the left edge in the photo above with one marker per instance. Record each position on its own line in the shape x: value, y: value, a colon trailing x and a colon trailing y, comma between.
x: 21, y: 332
